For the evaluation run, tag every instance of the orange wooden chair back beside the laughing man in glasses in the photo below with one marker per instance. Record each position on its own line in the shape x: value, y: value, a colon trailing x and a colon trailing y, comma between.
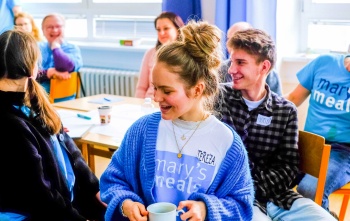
x: 64, y: 88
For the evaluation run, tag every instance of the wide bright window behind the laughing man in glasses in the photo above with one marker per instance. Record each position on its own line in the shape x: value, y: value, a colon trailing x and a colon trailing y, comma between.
x: 101, y: 20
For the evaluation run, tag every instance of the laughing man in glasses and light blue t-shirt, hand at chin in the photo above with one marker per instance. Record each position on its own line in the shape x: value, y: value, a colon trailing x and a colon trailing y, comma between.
x: 59, y: 56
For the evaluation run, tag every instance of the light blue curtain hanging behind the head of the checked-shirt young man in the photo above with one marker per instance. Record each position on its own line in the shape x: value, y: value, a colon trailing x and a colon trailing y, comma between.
x: 259, y: 13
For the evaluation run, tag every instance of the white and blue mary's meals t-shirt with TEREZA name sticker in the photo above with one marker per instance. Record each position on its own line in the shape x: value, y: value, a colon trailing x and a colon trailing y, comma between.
x: 176, y: 178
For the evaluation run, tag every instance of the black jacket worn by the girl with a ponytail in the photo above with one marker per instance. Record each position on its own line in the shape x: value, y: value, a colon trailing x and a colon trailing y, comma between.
x: 31, y: 182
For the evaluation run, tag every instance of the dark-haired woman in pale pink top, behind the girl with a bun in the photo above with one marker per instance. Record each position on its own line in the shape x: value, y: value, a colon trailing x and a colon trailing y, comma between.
x: 167, y: 25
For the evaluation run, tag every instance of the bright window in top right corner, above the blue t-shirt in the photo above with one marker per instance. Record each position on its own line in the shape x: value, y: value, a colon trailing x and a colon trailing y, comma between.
x: 327, y: 26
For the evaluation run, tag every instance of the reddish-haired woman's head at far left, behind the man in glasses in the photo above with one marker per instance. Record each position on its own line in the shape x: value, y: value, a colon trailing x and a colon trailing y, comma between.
x: 25, y: 21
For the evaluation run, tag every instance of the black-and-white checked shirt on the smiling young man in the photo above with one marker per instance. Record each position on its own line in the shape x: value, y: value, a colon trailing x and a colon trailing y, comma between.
x: 270, y: 134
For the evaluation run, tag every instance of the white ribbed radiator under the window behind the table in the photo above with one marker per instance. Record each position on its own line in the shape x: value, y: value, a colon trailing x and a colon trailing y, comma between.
x: 108, y: 81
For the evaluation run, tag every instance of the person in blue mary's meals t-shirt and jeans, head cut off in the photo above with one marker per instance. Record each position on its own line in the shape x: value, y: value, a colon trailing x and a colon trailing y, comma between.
x: 326, y: 79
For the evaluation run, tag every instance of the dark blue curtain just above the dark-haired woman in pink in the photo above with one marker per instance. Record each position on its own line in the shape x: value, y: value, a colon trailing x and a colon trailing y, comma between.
x: 186, y: 9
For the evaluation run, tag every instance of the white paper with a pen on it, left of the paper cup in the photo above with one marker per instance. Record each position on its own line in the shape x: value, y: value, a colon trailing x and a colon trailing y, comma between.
x: 77, y: 126
